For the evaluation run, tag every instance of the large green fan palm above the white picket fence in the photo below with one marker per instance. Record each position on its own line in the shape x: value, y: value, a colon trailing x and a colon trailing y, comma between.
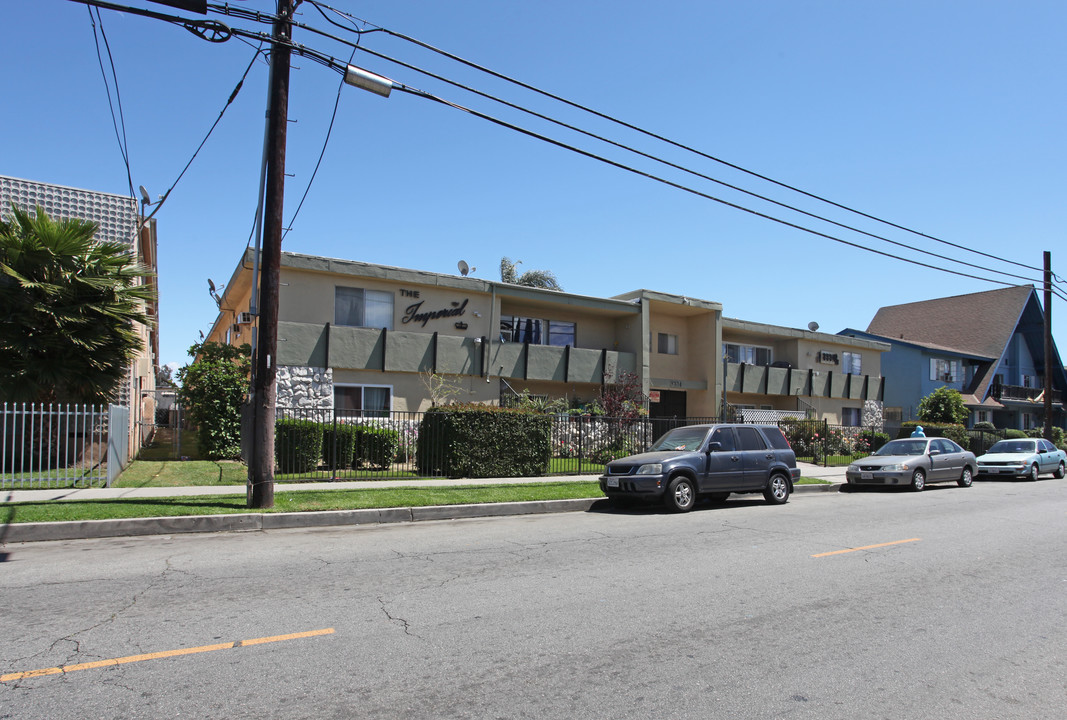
x: 68, y: 309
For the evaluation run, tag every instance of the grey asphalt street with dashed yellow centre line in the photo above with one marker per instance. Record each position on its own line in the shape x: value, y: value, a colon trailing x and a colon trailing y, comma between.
x: 945, y: 604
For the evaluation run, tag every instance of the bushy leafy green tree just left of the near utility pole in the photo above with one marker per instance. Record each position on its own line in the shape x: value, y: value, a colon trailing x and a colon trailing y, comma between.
x: 213, y: 390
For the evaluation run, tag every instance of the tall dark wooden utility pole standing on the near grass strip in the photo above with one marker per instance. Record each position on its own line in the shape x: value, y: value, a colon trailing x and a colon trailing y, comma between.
x: 265, y: 389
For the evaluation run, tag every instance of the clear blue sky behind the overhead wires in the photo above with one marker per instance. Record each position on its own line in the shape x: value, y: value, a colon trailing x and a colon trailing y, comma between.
x: 944, y: 118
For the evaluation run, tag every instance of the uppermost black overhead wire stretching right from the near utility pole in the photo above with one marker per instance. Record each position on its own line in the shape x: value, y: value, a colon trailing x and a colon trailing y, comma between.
x: 320, y: 6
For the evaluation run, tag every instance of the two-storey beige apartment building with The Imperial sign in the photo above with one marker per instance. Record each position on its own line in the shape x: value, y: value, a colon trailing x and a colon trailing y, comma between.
x: 367, y: 339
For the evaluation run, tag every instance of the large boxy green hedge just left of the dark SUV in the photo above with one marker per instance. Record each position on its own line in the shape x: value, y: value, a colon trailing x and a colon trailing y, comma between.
x: 484, y: 442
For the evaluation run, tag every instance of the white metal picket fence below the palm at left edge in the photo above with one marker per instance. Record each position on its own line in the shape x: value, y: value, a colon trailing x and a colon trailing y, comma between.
x: 62, y: 445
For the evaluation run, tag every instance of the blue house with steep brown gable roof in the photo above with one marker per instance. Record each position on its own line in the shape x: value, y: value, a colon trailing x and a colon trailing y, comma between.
x: 990, y: 346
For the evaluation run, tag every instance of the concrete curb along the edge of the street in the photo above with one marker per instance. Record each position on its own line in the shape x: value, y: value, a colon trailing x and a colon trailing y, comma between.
x: 33, y: 533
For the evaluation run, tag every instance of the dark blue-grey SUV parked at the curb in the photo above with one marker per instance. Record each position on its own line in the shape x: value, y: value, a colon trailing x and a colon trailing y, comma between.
x: 710, y: 461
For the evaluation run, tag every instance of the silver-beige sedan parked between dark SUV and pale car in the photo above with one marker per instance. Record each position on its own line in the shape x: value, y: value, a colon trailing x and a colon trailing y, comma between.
x: 915, y: 462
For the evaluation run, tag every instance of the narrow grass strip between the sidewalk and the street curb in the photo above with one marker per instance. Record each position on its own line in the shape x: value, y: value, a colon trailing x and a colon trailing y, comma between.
x: 294, y: 502
